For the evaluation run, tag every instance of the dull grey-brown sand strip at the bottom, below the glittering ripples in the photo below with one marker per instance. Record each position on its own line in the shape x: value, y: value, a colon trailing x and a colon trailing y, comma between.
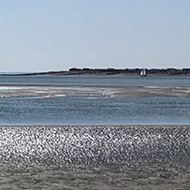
x: 137, y: 178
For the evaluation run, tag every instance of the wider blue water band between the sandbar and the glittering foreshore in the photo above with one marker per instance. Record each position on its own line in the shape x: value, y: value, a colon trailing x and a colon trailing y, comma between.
x: 94, y: 111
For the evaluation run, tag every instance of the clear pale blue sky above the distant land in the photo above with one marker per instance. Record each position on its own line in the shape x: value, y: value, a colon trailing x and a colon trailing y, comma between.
x: 51, y: 35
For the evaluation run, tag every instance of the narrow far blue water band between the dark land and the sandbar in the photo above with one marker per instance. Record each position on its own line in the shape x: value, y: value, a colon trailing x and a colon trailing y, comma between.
x: 97, y: 81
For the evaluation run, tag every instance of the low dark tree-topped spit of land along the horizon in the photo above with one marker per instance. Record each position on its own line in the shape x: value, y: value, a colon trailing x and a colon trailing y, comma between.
x: 110, y: 71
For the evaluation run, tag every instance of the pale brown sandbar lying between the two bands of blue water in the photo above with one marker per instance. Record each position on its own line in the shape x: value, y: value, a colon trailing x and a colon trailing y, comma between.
x: 92, y: 91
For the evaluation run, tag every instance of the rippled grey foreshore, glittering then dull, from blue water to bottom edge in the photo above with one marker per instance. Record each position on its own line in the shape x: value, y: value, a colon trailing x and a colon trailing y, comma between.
x: 95, y: 157
